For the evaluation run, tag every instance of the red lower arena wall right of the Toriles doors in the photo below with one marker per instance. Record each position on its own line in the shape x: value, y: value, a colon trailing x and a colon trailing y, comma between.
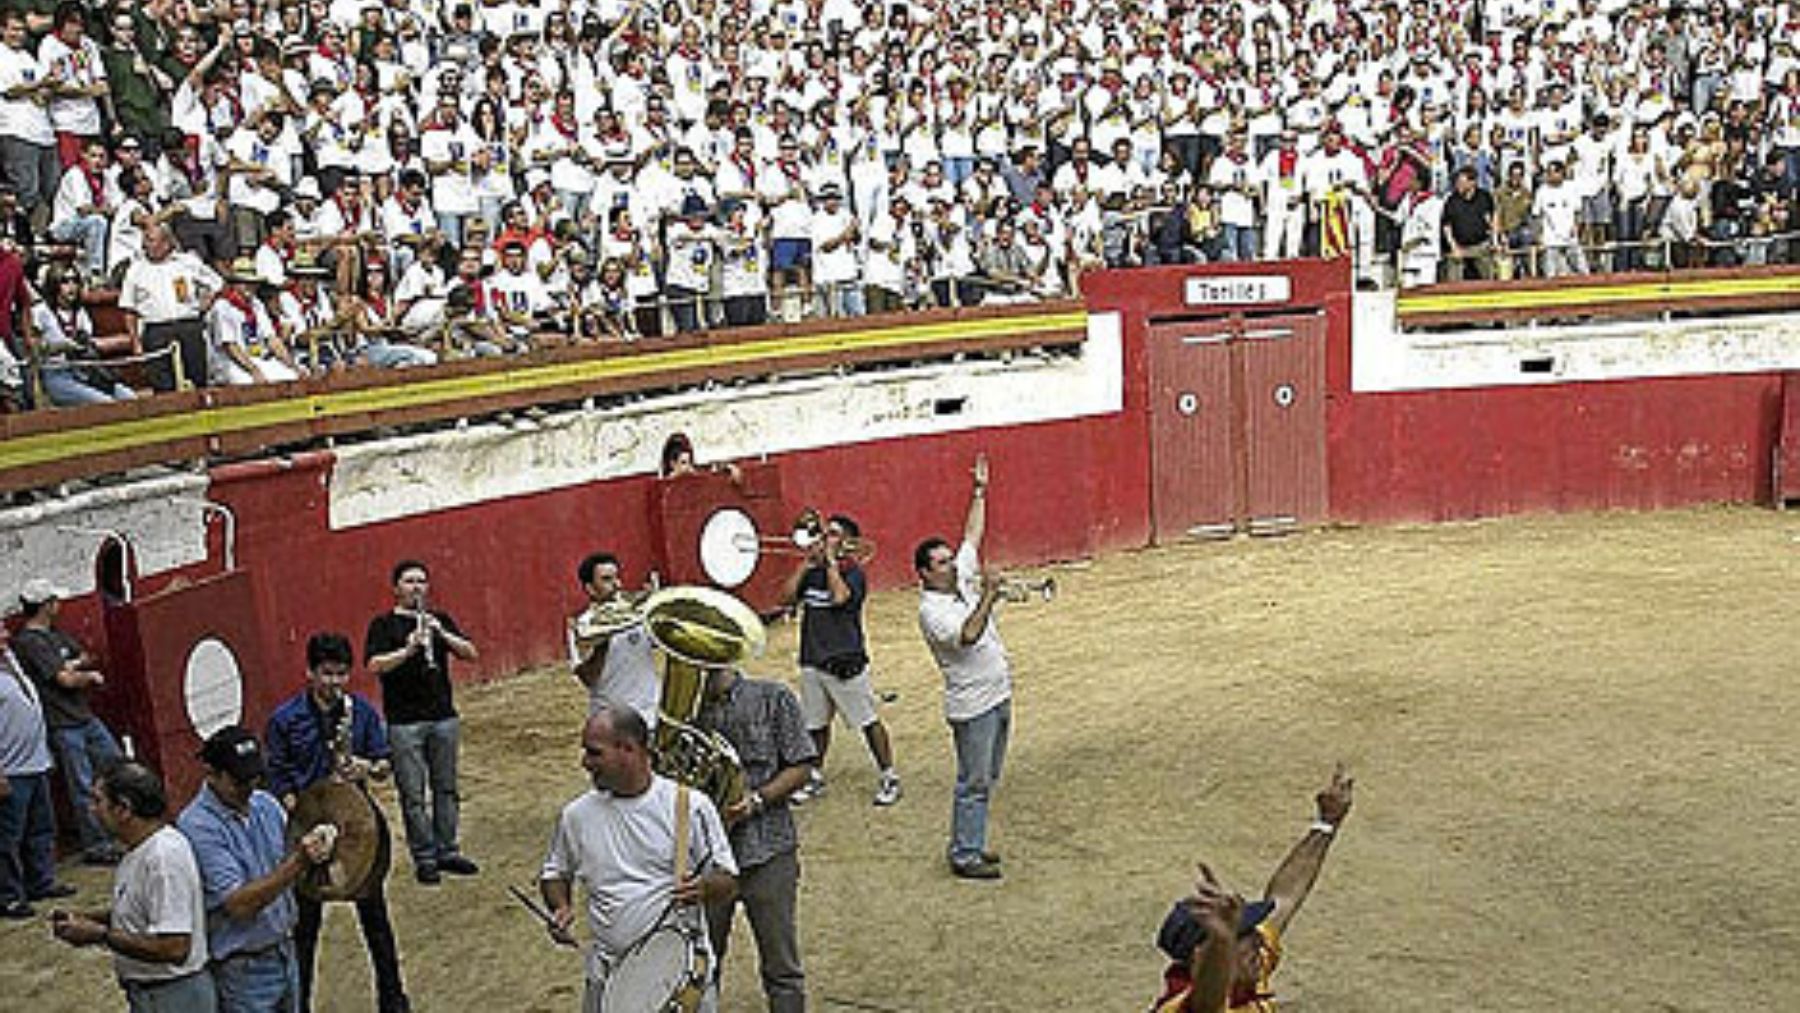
x: 1572, y: 447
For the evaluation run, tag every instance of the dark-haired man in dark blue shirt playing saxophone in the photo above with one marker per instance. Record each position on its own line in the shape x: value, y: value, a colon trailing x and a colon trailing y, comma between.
x: 301, y: 753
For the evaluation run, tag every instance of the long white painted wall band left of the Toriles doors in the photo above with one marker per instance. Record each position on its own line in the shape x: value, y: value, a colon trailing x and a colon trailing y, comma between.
x: 417, y: 476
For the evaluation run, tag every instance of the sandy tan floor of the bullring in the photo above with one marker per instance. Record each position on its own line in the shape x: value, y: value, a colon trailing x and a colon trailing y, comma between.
x: 1572, y: 740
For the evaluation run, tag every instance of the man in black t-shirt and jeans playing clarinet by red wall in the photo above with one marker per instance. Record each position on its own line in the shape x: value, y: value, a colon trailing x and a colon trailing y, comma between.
x: 409, y: 650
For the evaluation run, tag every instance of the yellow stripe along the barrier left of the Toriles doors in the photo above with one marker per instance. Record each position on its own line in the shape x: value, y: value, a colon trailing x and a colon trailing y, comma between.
x: 415, y: 393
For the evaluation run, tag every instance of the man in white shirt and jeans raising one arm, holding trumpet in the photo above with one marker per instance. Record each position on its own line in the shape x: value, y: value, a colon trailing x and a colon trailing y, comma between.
x: 957, y: 616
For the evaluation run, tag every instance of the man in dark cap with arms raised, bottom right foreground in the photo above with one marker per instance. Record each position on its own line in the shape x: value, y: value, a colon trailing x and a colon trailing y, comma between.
x: 1225, y: 949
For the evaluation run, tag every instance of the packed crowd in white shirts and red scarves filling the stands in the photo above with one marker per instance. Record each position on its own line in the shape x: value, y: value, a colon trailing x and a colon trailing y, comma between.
x: 278, y: 186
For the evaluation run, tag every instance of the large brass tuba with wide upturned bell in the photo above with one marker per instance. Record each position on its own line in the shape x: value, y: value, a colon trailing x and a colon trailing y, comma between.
x: 697, y: 629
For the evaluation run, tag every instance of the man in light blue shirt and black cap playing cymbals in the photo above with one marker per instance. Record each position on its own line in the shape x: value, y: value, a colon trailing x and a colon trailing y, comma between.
x: 247, y: 874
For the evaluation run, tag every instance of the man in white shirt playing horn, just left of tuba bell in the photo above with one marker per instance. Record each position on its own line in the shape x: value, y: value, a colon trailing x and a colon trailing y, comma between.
x: 611, y: 652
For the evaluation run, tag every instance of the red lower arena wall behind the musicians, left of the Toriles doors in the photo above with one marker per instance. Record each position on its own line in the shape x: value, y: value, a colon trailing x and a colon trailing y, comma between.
x: 507, y: 569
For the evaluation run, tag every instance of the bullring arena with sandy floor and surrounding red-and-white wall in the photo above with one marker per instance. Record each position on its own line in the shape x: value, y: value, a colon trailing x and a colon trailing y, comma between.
x: 1522, y: 580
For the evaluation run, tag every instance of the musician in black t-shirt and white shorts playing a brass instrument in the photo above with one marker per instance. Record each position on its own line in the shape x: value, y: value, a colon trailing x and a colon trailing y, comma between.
x: 834, y: 661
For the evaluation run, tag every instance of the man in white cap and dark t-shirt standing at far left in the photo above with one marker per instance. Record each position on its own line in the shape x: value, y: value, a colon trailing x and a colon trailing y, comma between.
x: 66, y: 674
